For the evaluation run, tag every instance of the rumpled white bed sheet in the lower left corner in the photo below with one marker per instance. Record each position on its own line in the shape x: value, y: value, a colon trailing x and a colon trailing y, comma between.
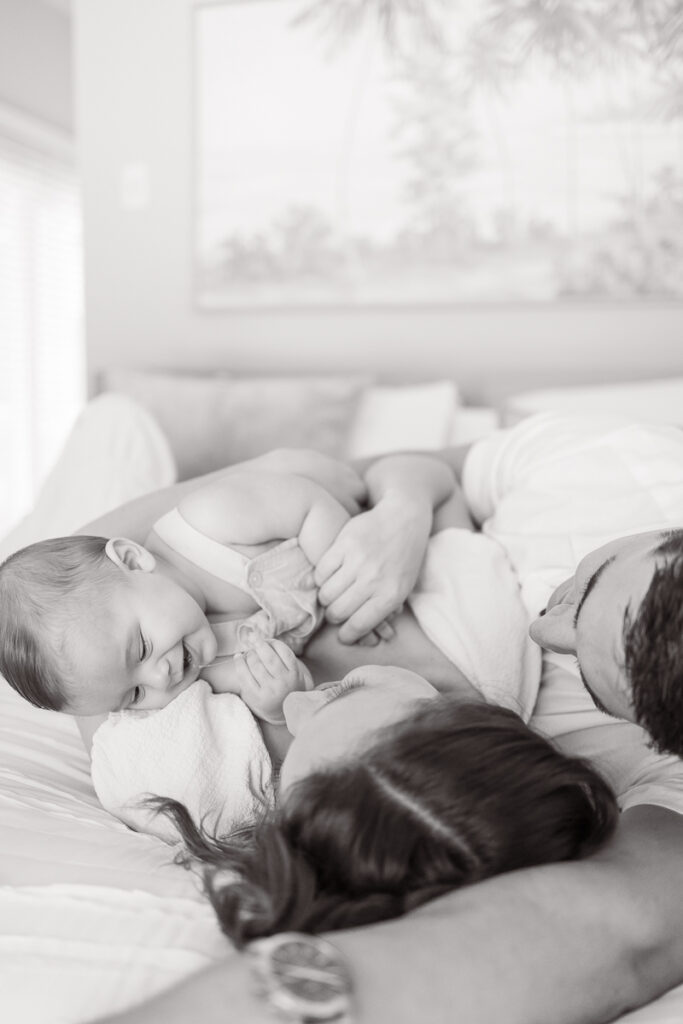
x: 94, y: 918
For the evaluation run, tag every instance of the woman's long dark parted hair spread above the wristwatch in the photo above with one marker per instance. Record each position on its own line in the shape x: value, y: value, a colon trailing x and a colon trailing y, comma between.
x: 454, y: 795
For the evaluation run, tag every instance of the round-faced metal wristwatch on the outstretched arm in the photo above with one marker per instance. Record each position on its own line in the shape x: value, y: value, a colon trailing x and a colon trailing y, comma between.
x: 303, y: 977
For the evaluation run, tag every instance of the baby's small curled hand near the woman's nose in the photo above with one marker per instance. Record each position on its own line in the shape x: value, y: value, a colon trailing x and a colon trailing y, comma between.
x: 267, y: 674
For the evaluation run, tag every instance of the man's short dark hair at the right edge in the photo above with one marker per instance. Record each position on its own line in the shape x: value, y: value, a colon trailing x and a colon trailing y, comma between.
x: 654, y: 651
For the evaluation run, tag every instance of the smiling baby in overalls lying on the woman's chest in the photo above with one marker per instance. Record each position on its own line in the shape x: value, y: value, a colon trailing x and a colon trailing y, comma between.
x: 92, y: 626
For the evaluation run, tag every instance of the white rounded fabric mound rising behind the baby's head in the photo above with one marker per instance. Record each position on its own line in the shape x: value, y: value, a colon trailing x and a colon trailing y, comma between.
x: 116, y: 452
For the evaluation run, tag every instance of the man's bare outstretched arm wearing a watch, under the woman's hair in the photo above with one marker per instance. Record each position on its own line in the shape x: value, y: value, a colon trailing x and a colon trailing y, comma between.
x: 576, y: 944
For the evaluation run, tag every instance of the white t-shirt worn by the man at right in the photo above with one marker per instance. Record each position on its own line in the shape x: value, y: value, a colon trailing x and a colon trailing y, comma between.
x: 550, y: 491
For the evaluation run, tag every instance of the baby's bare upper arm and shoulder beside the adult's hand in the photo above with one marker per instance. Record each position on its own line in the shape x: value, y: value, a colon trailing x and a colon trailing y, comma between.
x: 251, y: 508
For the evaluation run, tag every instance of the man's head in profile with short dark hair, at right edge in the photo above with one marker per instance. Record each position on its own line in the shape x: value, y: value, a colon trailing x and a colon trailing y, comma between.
x: 622, y: 616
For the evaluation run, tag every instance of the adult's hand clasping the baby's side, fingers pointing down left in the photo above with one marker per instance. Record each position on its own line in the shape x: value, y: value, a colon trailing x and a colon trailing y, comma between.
x: 372, y: 567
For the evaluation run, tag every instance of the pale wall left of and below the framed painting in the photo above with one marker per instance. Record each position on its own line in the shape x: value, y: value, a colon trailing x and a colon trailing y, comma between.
x: 135, y: 80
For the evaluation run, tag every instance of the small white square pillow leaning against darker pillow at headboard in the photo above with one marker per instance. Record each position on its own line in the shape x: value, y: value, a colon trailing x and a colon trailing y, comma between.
x: 404, y: 418
